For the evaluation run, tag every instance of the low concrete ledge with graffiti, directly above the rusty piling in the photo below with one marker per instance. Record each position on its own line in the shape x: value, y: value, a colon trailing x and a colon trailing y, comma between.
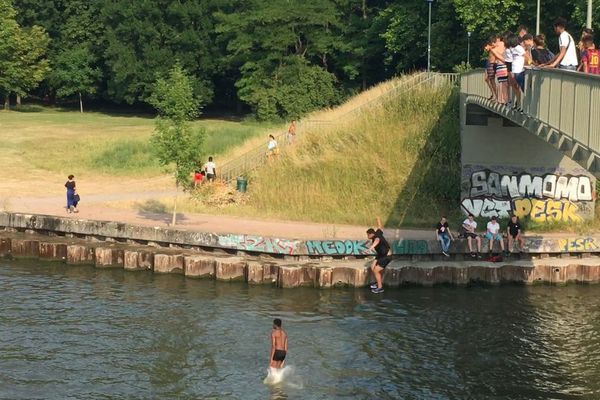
x: 117, y: 232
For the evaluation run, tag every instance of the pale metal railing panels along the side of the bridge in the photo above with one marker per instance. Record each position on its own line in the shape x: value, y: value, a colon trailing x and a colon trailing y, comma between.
x: 566, y: 101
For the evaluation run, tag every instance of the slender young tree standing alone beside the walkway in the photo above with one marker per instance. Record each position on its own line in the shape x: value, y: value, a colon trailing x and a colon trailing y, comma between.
x: 174, y: 141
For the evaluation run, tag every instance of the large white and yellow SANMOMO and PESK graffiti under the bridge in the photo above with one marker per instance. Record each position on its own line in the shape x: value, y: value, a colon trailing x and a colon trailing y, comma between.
x: 548, y: 197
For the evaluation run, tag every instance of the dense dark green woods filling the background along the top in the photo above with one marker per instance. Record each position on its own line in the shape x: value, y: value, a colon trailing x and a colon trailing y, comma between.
x: 278, y: 58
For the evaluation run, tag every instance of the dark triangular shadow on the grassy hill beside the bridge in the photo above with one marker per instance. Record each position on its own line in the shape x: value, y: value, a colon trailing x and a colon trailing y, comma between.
x: 433, y: 186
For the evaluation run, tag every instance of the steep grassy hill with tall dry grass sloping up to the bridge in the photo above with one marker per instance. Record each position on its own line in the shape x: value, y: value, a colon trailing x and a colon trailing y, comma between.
x: 398, y: 158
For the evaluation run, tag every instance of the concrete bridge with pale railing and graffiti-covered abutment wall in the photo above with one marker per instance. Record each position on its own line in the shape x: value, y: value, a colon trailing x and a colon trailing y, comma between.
x: 541, y: 164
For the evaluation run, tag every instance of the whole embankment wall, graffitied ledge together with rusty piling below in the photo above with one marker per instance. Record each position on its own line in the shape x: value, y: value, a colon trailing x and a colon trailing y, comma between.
x: 282, y: 262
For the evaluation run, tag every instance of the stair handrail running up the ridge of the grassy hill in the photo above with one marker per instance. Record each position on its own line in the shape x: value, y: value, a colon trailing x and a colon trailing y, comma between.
x: 255, y: 157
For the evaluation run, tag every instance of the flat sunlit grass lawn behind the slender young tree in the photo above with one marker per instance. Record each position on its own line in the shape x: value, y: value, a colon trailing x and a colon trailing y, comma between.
x: 60, y: 141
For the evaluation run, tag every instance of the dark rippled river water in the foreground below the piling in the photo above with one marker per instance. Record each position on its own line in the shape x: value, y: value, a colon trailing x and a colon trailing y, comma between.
x: 84, y: 333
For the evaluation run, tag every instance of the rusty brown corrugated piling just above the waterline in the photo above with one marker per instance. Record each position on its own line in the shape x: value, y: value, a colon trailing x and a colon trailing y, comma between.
x: 256, y: 270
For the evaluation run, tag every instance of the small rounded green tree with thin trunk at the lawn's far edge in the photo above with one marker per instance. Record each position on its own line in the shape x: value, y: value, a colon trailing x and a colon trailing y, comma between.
x: 74, y: 73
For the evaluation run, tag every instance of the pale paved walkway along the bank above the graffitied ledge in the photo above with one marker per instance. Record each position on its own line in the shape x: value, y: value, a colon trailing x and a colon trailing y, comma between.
x: 94, y: 207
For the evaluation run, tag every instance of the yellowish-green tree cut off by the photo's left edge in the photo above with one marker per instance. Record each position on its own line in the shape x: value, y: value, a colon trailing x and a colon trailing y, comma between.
x: 23, y: 62
